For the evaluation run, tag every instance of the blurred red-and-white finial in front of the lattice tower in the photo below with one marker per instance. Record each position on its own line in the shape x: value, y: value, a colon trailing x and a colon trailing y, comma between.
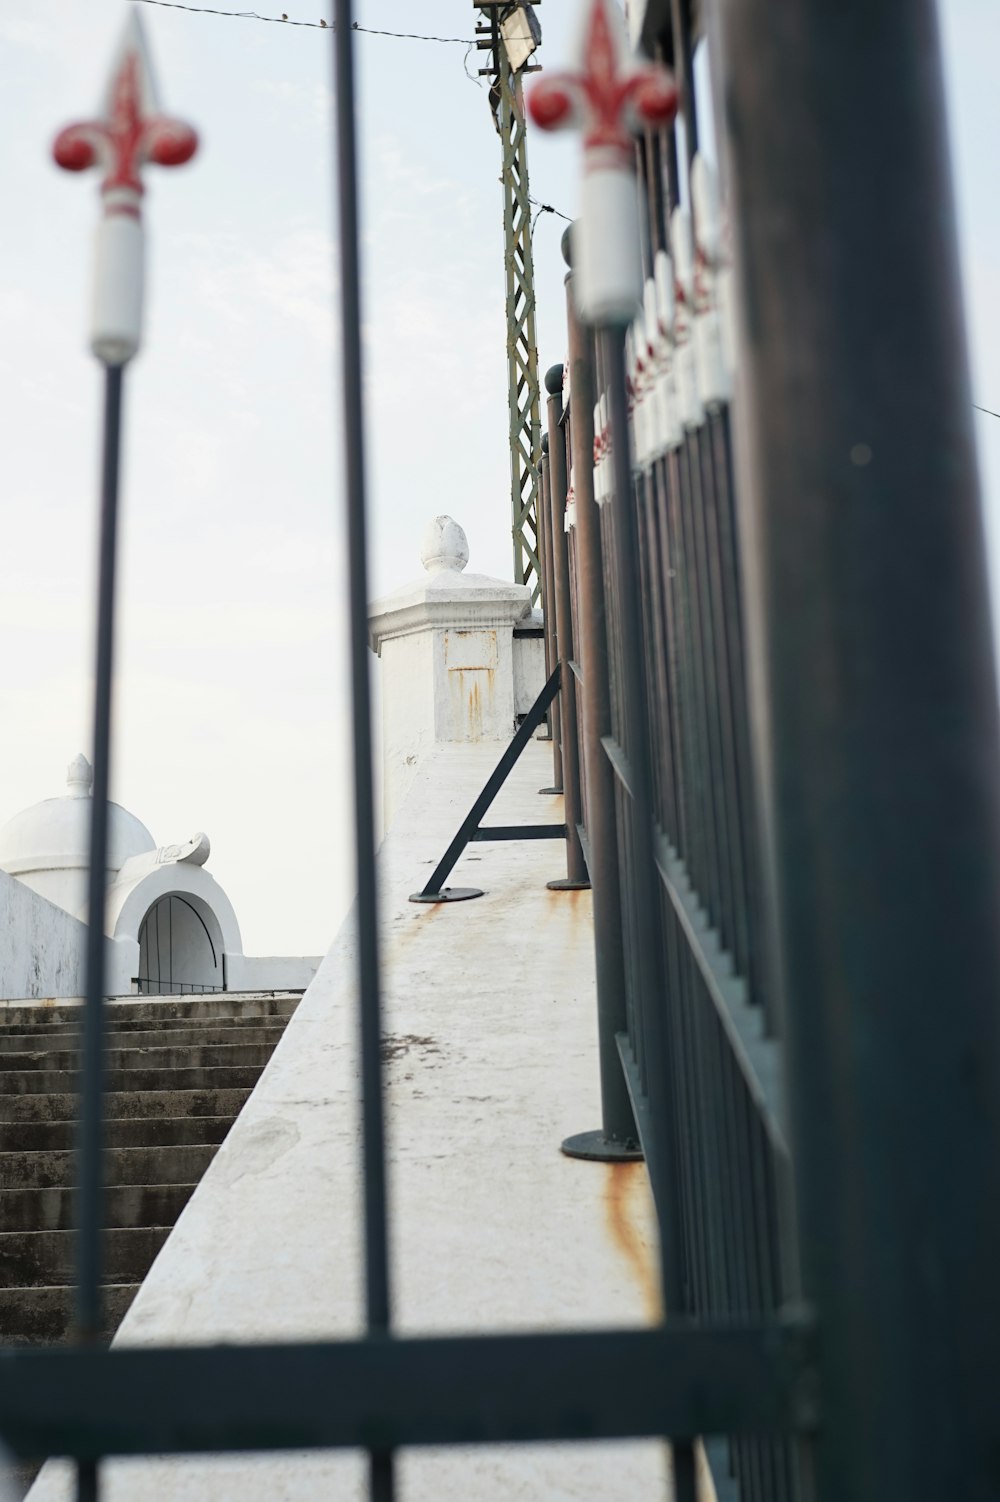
x: 610, y: 95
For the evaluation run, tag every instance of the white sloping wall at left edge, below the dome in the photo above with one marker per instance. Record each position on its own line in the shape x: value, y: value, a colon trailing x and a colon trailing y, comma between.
x: 41, y: 947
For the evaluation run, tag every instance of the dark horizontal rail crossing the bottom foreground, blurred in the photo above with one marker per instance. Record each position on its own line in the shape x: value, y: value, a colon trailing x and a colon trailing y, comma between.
x: 679, y: 1381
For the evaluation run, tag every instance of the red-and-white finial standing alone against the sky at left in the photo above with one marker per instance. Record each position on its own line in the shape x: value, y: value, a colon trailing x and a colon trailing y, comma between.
x: 130, y: 133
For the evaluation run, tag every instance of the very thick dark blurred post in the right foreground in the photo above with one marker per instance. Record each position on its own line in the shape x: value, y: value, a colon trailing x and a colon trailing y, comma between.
x: 876, y: 719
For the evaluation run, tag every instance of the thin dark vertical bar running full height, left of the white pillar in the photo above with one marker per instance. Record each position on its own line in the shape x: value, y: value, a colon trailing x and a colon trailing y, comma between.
x: 378, y: 1286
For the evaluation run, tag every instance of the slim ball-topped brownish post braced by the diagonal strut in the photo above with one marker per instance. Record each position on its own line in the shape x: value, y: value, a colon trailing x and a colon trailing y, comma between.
x: 576, y: 866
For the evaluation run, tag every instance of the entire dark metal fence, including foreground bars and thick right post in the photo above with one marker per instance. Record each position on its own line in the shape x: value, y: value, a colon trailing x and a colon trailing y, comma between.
x: 779, y: 732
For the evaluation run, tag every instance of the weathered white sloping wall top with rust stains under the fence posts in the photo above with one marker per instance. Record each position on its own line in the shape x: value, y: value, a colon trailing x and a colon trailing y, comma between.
x: 492, y: 1061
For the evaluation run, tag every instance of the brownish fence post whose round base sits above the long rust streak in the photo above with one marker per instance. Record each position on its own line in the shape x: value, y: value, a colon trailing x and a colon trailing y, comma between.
x: 618, y: 1136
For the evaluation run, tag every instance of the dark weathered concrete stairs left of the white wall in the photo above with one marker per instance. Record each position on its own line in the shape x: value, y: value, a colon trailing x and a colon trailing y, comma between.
x: 178, y: 1073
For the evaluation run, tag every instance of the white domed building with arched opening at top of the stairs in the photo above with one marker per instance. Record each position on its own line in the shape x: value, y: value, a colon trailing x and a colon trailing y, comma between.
x: 172, y: 930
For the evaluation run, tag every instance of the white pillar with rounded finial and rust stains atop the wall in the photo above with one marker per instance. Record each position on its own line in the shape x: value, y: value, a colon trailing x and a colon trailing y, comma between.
x: 447, y: 651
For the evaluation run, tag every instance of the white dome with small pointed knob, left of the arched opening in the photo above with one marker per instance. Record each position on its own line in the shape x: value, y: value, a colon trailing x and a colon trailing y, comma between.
x: 55, y: 836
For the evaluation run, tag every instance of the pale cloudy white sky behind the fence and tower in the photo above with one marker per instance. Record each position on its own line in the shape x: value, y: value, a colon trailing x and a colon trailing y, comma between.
x: 233, y: 698
